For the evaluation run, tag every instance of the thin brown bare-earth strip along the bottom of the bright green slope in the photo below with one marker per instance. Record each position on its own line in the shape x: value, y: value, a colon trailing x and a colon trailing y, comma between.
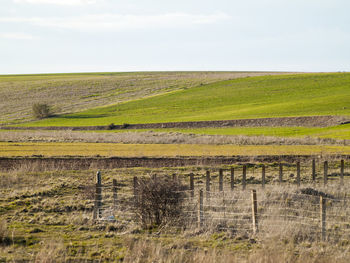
x: 304, y: 121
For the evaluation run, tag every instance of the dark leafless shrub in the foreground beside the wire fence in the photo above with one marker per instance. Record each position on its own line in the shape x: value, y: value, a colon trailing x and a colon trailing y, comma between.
x: 159, y: 201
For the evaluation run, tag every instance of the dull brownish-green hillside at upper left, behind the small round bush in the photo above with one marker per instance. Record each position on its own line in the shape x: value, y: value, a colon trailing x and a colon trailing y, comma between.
x: 69, y: 93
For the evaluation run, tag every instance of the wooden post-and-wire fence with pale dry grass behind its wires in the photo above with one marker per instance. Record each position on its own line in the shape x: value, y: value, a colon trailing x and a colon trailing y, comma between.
x: 275, y: 209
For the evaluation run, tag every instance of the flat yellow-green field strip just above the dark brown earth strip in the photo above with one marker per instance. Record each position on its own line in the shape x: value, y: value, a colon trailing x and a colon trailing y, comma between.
x: 8, y: 149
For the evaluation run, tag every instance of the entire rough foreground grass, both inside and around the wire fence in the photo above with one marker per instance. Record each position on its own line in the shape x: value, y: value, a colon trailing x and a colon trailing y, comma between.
x: 51, y: 215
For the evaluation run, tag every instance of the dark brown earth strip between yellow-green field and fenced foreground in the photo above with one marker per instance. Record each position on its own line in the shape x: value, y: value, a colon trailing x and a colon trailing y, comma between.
x: 82, y: 163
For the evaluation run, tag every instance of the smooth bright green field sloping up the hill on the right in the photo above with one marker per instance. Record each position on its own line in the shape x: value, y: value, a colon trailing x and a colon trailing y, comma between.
x: 254, y: 97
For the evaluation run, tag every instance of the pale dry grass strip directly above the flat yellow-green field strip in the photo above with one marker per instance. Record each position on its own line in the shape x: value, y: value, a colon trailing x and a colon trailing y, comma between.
x: 151, y: 137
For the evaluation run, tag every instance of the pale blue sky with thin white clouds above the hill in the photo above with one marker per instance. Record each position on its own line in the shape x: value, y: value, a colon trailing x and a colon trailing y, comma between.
x: 58, y: 36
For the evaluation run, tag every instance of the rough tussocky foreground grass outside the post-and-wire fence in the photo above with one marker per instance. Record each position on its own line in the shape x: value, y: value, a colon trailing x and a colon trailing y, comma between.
x: 45, y: 216
